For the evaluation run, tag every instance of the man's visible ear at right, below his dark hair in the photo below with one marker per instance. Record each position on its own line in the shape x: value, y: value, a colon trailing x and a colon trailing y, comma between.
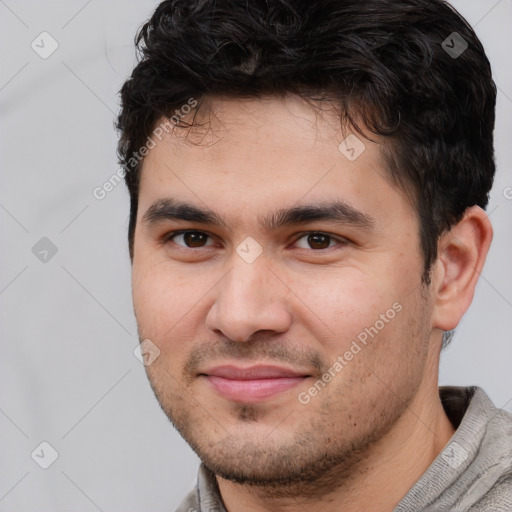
x: 461, y: 256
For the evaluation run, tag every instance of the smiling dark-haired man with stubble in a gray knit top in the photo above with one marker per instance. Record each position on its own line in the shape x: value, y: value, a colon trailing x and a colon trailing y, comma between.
x: 308, y: 183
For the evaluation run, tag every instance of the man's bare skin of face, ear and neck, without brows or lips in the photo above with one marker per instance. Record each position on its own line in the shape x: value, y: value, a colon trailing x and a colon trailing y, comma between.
x: 372, y: 431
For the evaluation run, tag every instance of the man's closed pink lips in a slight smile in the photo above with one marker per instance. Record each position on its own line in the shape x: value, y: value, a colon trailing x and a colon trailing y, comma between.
x: 252, y: 384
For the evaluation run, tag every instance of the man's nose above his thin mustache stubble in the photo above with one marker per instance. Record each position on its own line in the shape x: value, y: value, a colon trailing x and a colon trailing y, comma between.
x: 249, y: 299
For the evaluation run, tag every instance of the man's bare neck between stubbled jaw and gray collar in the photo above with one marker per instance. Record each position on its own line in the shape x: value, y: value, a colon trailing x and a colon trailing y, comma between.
x: 380, y: 480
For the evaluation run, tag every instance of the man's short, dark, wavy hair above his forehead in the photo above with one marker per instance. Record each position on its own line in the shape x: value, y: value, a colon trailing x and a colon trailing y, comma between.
x: 386, y: 63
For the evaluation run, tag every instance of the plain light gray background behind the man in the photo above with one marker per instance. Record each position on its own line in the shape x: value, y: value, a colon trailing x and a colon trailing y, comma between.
x: 68, y: 375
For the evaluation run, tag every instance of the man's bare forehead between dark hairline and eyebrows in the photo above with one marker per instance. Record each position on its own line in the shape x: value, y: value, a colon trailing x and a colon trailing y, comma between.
x: 251, y: 155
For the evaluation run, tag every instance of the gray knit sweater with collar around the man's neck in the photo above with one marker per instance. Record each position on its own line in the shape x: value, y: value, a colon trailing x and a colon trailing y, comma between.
x: 472, y: 474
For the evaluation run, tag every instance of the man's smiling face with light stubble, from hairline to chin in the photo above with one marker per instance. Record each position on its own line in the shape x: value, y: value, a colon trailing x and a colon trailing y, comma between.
x: 308, y: 258
